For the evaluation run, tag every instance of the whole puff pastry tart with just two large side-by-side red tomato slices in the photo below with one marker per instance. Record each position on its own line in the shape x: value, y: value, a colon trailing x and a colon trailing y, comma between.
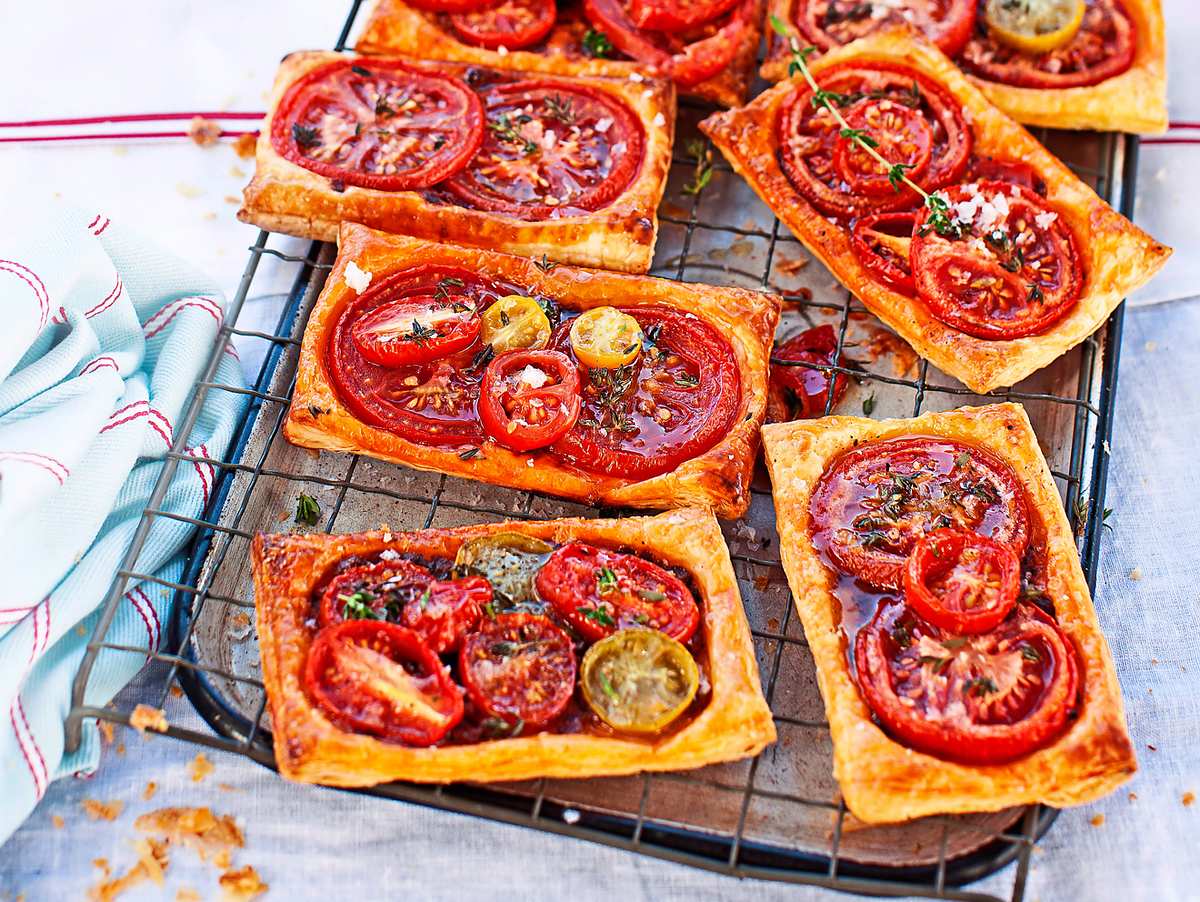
x: 571, y: 167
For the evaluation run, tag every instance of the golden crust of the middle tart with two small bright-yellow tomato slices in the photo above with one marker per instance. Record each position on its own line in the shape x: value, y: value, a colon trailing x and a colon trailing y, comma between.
x: 718, y: 479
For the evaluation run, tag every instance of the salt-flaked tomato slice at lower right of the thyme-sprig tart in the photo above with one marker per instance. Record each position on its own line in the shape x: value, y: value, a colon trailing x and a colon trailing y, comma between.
x: 1015, y: 269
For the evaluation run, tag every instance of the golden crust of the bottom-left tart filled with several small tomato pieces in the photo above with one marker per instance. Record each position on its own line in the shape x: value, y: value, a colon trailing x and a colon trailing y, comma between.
x: 735, y: 724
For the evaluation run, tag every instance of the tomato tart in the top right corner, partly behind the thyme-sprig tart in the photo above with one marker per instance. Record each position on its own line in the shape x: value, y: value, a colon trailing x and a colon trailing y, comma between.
x: 1061, y: 64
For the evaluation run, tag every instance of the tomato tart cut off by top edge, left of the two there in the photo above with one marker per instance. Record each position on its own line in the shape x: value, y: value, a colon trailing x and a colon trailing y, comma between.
x: 706, y: 47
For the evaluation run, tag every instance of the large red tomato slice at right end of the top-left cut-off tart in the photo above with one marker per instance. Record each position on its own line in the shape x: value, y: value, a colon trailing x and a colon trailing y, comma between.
x: 688, y: 58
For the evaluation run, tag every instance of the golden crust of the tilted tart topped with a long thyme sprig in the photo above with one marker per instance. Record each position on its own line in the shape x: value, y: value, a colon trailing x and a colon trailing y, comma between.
x: 1118, y: 257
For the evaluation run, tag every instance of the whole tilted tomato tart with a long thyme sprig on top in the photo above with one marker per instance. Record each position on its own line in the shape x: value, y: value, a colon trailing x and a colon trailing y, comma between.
x: 1024, y: 264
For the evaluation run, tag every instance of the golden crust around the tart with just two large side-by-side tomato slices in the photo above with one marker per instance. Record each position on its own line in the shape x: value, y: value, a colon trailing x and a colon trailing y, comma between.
x: 286, y: 197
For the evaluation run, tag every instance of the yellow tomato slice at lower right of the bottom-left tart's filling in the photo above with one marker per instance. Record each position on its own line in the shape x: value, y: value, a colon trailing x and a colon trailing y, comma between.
x: 639, y: 681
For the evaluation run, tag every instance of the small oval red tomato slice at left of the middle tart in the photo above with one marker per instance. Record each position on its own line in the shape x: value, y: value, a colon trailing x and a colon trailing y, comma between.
x: 416, y: 330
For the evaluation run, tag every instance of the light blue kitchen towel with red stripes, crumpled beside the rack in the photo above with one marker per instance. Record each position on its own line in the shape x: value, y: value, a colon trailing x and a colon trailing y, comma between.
x: 103, y: 340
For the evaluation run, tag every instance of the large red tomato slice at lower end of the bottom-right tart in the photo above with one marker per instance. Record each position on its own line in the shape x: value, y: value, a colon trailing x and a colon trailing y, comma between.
x: 979, y: 700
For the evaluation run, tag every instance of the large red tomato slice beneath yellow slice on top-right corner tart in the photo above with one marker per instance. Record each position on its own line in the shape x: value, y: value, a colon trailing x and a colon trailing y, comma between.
x: 1102, y: 49
